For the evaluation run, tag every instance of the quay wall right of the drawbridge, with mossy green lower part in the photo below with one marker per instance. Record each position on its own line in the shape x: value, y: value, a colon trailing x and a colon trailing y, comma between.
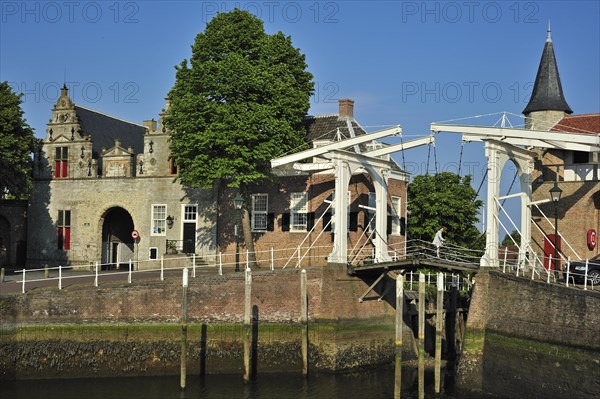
x: 528, y: 338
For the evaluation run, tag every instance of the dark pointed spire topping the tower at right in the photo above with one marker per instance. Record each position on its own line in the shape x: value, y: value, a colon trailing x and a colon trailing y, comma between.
x: 547, y: 92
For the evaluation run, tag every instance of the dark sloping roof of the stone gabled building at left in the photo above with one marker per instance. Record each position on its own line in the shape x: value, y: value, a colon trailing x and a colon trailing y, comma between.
x: 105, y: 129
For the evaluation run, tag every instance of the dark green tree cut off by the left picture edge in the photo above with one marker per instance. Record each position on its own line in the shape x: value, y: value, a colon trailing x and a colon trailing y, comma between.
x: 17, y: 142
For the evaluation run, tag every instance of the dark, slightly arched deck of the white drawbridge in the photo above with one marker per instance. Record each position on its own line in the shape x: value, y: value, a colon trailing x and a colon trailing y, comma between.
x: 412, y: 264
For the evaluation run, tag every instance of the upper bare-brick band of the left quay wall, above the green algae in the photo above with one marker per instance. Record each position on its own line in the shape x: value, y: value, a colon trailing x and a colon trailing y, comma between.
x: 332, y: 295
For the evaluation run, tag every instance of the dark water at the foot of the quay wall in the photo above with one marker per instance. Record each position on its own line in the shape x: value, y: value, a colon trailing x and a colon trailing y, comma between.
x: 370, y: 384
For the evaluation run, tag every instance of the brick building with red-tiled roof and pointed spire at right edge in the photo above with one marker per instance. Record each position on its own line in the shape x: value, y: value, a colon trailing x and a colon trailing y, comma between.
x: 576, y: 173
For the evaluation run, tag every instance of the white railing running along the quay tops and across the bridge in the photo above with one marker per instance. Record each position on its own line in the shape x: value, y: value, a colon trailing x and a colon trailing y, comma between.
x: 278, y: 258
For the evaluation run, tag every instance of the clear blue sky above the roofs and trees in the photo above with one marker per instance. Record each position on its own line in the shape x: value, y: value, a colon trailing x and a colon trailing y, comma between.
x: 409, y: 63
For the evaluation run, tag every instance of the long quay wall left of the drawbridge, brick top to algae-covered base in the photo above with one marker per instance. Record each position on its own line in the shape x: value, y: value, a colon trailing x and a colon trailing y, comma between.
x: 71, y: 332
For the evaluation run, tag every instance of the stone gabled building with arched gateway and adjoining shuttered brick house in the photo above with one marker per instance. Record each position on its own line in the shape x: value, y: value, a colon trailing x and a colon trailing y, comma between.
x: 97, y: 179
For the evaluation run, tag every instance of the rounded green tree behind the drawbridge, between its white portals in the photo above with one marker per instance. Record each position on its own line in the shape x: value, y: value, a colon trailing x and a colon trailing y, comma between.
x: 444, y: 199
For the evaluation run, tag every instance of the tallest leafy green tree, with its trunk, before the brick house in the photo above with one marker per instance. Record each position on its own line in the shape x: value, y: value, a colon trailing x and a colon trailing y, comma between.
x: 237, y: 104
